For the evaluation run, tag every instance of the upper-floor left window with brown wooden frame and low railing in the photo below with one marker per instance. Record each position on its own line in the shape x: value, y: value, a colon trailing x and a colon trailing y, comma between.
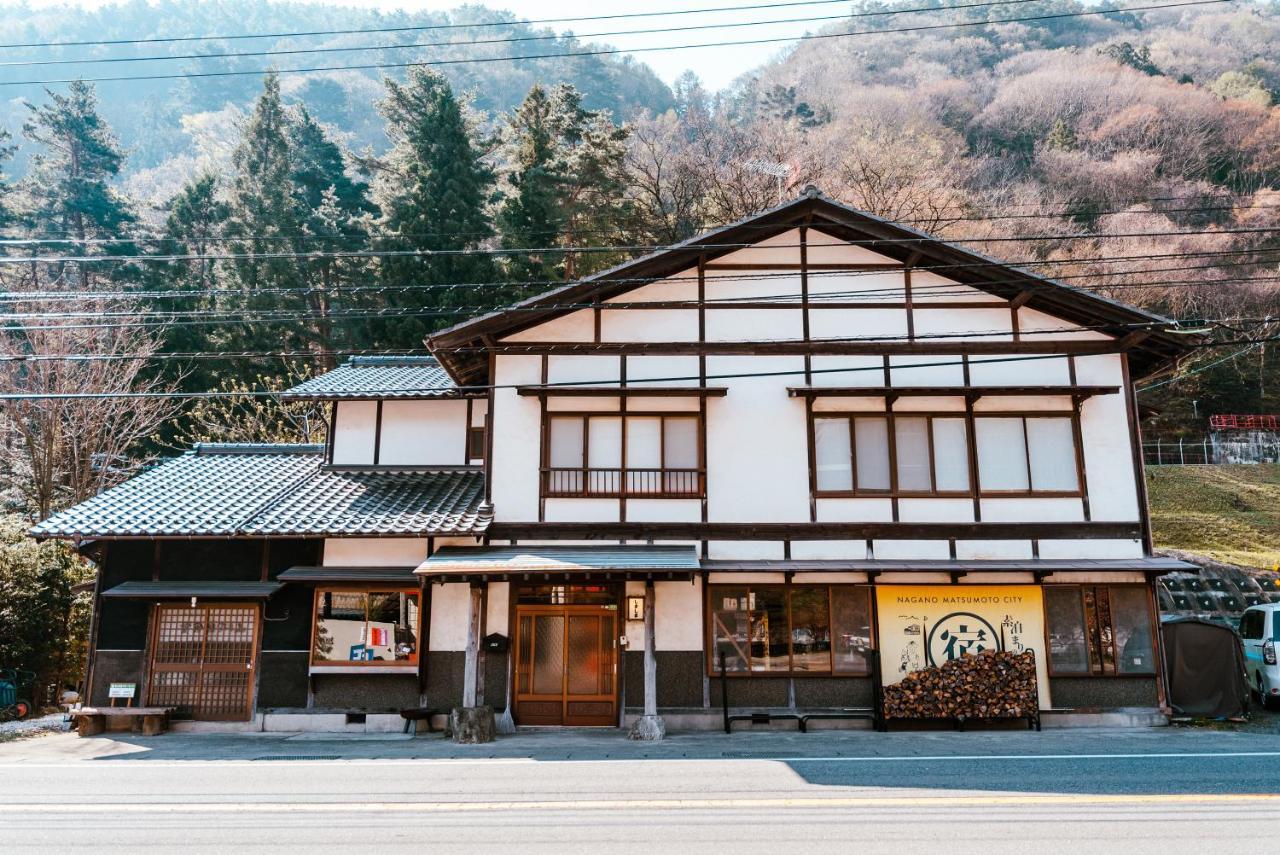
x: 624, y: 492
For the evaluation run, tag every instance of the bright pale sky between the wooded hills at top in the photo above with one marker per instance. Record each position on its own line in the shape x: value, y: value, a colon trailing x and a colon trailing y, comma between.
x: 717, y: 67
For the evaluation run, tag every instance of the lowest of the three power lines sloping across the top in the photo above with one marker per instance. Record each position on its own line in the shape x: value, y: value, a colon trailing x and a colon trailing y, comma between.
x: 609, y: 52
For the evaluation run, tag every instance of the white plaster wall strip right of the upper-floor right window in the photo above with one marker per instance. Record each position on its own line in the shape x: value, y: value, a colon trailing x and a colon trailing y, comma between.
x: 1108, y: 446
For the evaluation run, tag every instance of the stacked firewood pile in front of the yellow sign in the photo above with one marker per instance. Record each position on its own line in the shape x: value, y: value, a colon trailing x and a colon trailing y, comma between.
x: 988, y: 685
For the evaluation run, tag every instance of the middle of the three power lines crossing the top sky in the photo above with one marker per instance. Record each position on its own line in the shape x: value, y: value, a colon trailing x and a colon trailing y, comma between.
x: 499, y: 42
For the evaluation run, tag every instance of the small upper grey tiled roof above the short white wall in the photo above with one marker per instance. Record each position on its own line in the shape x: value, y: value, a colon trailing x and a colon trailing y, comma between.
x: 380, y: 377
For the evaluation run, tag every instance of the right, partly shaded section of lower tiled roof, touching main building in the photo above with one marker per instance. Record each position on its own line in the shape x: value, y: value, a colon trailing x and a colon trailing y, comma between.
x: 374, y: 502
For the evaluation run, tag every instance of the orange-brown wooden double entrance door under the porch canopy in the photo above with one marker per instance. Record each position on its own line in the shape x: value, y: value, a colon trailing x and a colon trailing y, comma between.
x: 566, y: 665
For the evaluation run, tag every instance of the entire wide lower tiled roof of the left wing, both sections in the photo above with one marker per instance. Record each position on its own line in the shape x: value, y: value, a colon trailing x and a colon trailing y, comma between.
x: 275, y: 491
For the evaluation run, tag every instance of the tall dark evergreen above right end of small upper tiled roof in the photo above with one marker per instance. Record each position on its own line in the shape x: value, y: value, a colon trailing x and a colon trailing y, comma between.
x: 433, y: 190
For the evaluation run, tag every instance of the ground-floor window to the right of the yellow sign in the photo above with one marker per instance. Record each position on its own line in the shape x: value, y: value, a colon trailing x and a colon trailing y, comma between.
x: 1099, y: 630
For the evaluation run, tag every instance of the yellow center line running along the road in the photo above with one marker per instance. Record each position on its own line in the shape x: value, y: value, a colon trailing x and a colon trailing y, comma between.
x: 653, y: 804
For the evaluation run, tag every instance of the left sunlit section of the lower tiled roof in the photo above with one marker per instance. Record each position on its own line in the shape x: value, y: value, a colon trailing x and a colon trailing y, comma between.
x: 209, y: 491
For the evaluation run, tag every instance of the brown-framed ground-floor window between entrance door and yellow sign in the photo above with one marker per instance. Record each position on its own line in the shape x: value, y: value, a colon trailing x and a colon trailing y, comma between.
x: 790, y: 629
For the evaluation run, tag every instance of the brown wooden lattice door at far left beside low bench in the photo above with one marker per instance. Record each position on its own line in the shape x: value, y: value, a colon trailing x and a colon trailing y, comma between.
x: 203, y: 661
